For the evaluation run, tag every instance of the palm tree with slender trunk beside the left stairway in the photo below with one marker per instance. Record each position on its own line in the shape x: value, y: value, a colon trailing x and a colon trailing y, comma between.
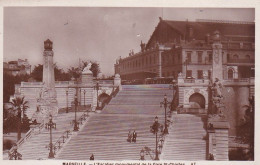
x: 20, y: 105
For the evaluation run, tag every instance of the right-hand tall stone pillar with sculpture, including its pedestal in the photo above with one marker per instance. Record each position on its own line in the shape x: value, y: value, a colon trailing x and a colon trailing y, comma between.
x: 218, y: 120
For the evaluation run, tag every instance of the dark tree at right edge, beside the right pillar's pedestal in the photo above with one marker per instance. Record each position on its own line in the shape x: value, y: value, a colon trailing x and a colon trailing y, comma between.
x: 246, y: 128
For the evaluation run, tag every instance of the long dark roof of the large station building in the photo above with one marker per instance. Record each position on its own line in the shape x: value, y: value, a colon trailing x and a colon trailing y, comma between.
x: 202, y: 28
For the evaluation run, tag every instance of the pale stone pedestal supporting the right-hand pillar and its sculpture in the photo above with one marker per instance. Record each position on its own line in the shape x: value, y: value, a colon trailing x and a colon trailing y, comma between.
x: 218, y: 139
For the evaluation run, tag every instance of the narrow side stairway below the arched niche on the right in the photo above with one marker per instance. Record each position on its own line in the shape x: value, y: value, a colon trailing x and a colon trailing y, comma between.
x: 186, y: 139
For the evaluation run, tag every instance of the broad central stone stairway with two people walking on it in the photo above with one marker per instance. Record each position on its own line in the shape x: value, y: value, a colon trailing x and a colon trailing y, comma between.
x: 105, y: 134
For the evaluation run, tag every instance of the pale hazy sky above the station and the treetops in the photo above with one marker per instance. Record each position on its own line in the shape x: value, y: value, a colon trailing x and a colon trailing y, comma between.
x: 93, y: 33
